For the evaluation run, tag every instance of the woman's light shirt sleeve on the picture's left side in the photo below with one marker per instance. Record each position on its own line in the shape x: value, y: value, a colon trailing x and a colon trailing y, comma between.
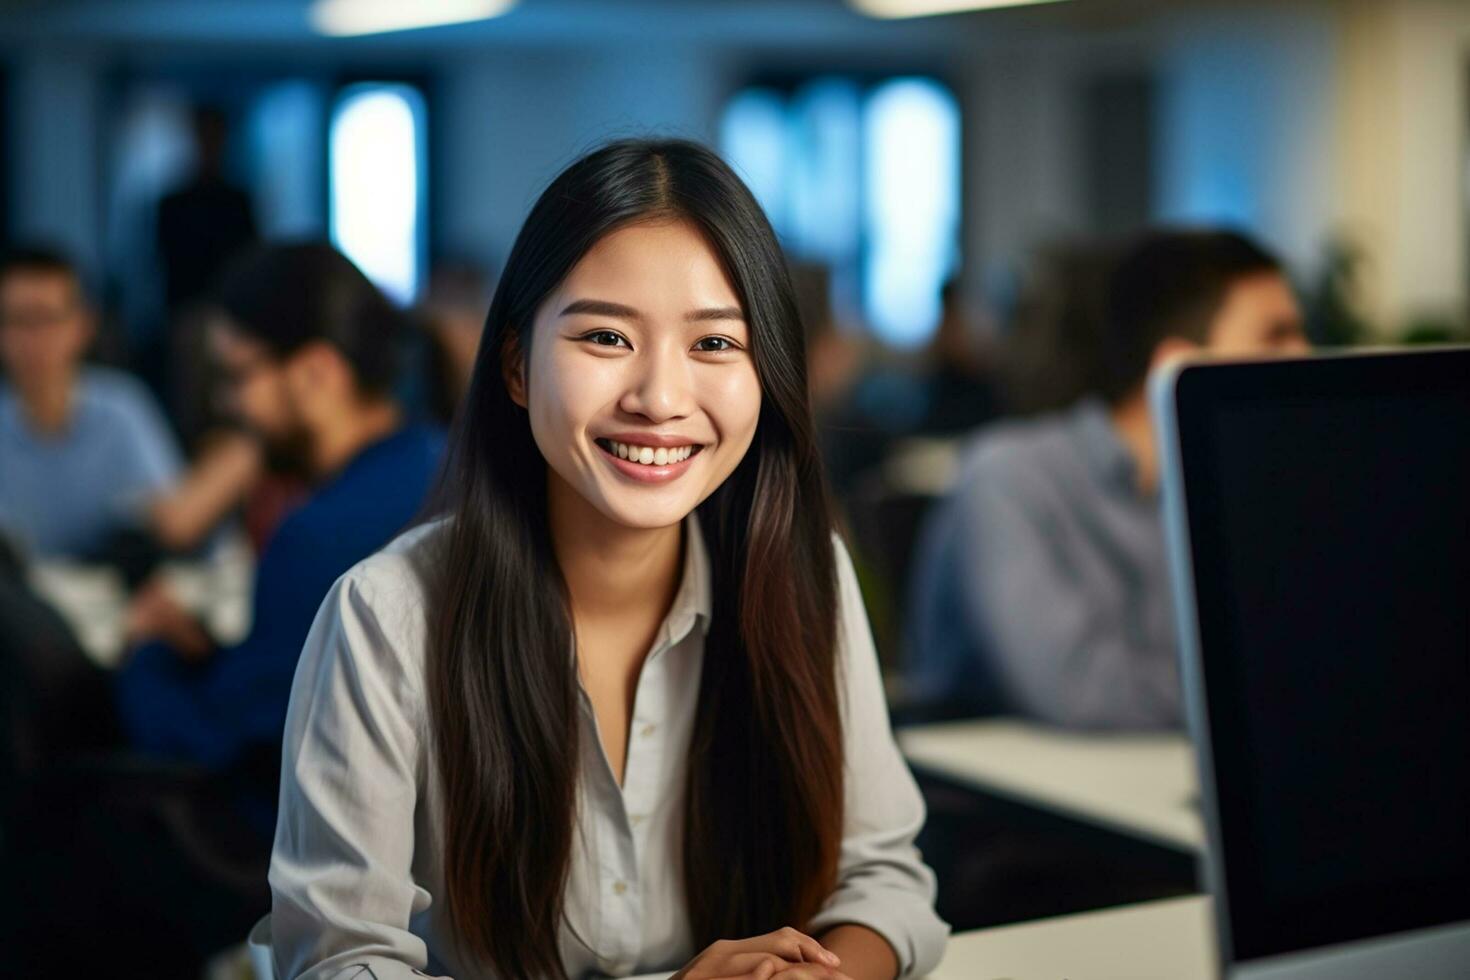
x: 342, y: 879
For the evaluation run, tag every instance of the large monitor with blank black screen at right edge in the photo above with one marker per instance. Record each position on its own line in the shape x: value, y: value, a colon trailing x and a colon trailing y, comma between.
x: 1319, y: 531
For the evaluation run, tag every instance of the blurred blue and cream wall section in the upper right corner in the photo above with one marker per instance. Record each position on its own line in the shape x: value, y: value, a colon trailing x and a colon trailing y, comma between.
x: 1330, y: 121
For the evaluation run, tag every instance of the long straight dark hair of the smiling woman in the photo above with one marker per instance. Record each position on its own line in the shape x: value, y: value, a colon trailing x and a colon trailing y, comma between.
x: 764, y: 812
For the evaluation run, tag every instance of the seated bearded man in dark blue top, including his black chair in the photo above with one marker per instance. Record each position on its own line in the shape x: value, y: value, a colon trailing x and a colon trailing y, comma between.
x: 161, y: 860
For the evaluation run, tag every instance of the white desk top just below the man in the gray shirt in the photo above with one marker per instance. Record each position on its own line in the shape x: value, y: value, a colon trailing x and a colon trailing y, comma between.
x: 1143, y: 785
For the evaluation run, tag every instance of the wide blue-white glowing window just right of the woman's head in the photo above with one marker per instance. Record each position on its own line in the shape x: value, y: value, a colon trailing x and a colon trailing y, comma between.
x: 864, y: 179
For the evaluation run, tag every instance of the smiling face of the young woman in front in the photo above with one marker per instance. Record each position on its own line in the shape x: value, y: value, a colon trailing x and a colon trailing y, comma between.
x: 640, y: 384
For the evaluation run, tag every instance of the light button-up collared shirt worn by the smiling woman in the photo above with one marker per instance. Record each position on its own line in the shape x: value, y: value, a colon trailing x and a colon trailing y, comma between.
x: 359, y: 854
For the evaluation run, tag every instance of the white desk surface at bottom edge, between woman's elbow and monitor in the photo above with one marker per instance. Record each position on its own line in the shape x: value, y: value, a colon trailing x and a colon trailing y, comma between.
x: 1158, y: 941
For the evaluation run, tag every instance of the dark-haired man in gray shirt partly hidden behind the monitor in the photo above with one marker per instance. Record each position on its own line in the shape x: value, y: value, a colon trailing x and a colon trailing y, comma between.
x: 1041, y: 586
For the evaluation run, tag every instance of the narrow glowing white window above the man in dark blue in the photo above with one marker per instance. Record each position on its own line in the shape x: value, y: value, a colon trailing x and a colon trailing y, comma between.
x: 377, y: 151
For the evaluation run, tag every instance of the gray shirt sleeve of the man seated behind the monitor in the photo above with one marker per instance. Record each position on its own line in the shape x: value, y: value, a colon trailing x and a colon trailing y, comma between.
x: 1062, y: 655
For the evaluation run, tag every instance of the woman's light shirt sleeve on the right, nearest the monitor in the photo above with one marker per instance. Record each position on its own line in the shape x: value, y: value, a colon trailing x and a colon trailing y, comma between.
x: 883, y: 881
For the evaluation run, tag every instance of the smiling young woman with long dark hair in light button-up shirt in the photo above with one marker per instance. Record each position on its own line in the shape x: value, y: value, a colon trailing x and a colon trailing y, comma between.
x: 618, y: 707
